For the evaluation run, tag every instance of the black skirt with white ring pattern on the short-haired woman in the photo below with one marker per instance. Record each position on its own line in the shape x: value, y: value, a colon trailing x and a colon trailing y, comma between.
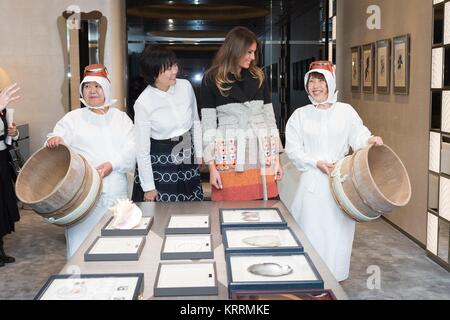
x: 176, y: 176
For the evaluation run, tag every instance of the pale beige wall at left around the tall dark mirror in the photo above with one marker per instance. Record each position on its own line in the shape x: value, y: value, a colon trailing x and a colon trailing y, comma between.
x: 31, y: 51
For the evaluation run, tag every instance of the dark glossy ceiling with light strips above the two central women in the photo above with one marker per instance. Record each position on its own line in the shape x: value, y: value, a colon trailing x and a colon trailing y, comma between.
x: 204, y: 23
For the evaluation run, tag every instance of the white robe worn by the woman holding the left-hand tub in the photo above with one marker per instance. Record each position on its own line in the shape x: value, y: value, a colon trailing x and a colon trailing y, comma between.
x: 99, y: 139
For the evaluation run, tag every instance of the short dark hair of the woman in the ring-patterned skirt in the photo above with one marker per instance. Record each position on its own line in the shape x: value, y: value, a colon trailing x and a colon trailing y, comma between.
x: 154, y: 60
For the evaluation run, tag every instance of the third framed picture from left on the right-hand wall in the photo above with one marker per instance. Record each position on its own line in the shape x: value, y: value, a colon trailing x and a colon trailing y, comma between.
x: 383, y: 66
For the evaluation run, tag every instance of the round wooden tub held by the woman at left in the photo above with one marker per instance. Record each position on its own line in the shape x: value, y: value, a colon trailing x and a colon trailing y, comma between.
x: 58, y: 184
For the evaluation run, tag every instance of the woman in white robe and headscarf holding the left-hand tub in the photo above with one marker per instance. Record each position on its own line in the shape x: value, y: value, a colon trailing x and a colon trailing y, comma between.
x: 104, y: 136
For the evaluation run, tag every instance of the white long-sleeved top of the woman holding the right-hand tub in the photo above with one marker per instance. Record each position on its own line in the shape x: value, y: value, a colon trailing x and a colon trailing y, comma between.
x: 313, y: 134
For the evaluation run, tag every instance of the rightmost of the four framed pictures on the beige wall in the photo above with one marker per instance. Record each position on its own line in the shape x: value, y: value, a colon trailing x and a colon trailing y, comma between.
x: 401, y: 62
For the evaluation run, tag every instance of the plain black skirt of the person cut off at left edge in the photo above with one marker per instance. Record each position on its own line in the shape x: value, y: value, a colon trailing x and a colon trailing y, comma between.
x: 9, y: 213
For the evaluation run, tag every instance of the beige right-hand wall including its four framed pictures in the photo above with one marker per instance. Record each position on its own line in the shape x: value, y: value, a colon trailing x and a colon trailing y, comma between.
x: 397, y: 106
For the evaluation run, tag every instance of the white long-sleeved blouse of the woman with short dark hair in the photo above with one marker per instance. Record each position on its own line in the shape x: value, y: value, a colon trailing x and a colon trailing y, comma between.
x: 164, y: 115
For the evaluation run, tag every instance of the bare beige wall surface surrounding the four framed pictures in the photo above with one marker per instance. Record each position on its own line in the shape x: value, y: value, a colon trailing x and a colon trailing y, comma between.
x: 403, y: 121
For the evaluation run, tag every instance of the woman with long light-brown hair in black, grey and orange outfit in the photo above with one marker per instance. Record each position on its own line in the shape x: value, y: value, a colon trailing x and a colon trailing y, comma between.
x: 240, y: 136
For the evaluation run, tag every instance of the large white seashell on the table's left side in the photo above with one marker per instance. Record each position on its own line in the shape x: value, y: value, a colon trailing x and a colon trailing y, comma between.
x: 127, y: 215
